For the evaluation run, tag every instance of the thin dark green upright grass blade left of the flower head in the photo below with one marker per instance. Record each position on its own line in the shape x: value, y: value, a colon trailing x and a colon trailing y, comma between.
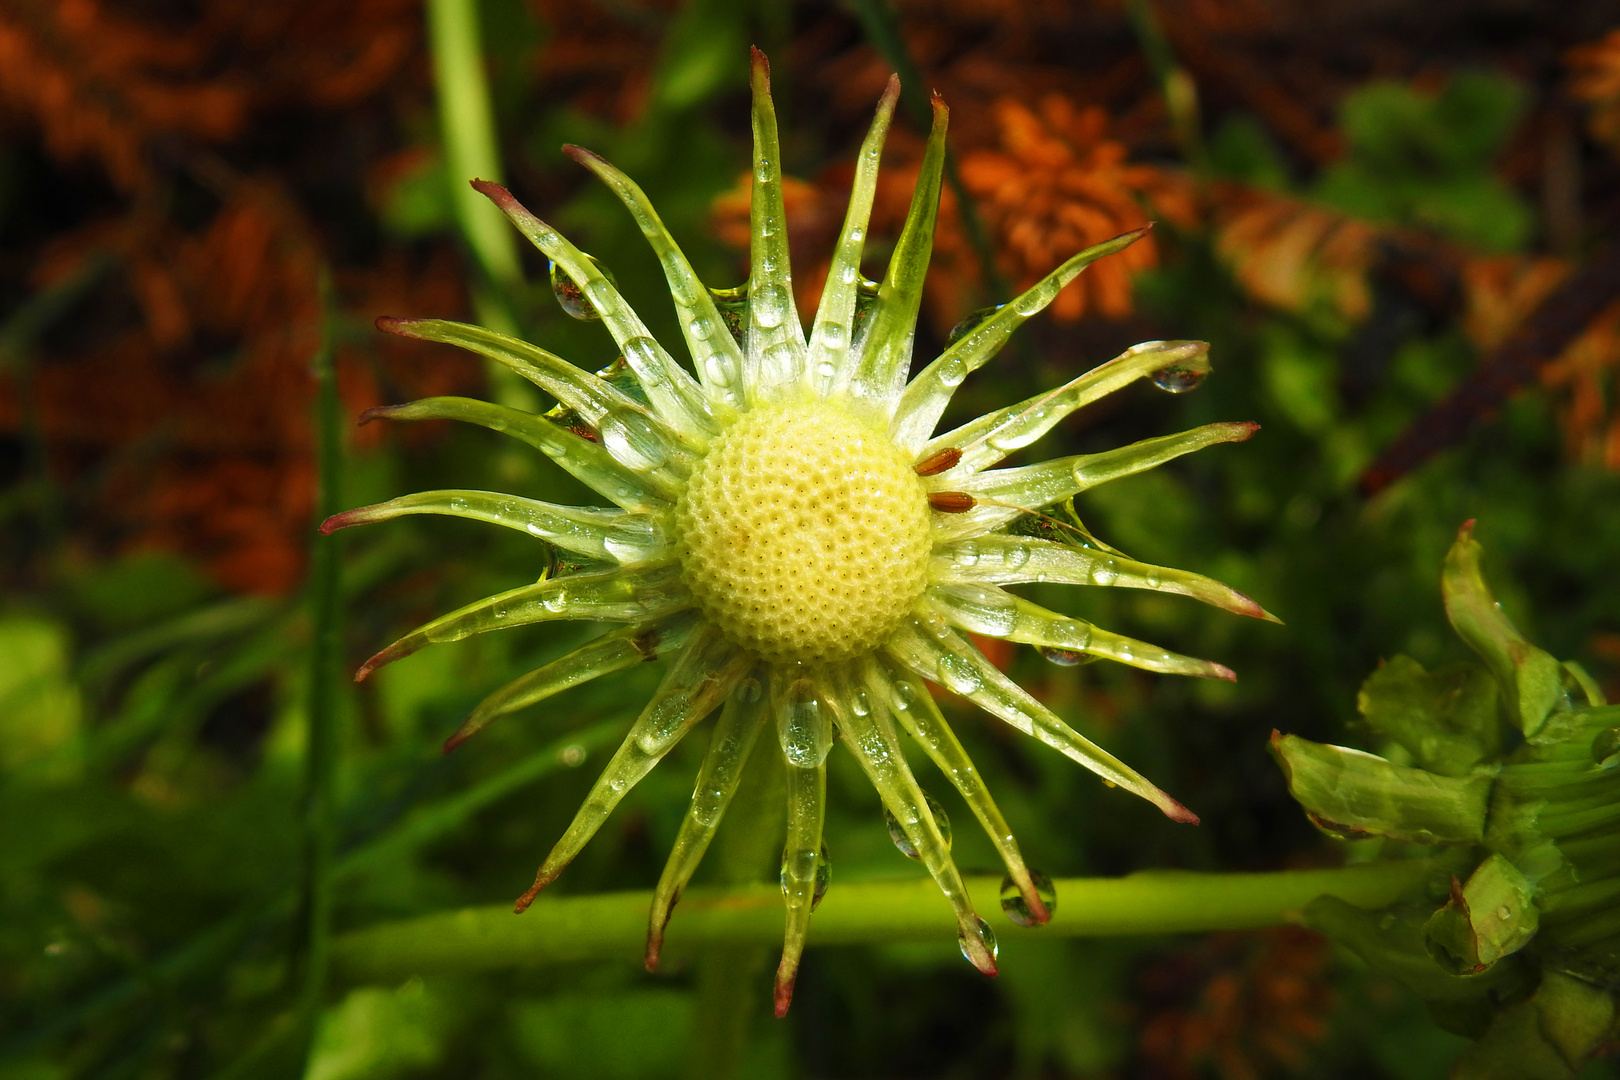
x: 326, y: 679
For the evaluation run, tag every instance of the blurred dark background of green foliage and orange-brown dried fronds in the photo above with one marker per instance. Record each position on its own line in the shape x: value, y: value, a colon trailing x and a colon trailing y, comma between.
x: 1397, y: 223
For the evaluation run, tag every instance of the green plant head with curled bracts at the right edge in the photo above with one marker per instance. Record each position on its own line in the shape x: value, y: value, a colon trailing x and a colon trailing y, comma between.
x: 1512, y: 763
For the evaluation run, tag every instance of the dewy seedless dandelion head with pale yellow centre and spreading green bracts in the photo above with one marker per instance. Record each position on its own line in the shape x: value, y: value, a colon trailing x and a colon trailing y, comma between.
x: 795, y: 538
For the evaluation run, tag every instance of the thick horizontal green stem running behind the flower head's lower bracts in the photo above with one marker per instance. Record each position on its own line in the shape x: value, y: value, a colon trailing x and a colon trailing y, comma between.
x: 615, y: 925
